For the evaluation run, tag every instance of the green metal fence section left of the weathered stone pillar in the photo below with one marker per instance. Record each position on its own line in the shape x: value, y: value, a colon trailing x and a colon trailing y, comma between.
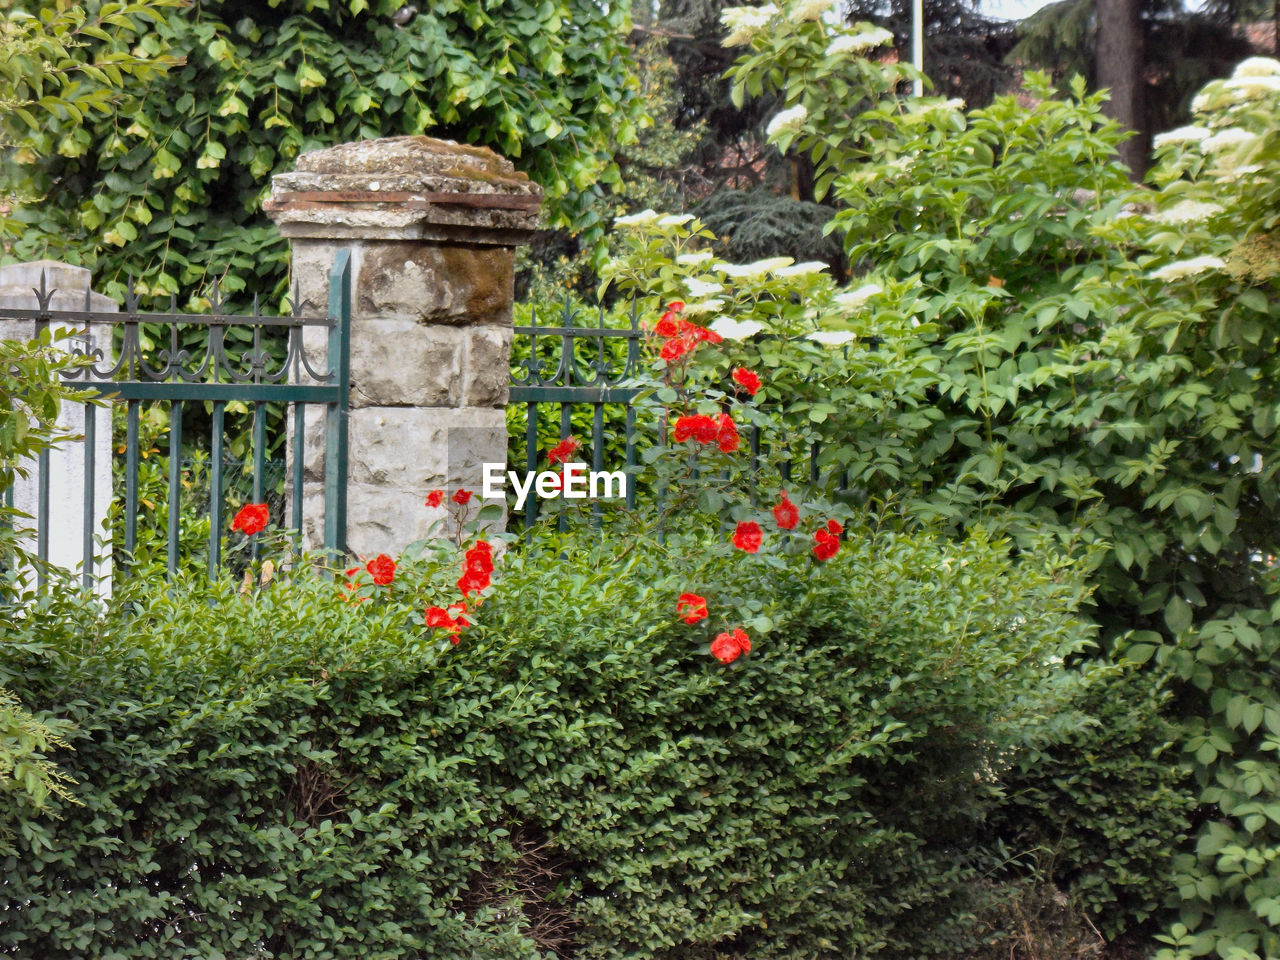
x: 232, y: 364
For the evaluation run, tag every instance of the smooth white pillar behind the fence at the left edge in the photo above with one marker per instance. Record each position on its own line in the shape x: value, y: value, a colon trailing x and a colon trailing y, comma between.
x: 67, y: 474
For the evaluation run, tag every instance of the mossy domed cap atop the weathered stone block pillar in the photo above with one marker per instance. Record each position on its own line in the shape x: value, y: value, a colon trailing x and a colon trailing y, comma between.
x: 406, y: 189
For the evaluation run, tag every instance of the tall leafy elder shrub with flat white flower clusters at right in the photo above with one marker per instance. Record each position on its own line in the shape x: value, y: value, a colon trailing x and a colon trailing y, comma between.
x: 1055, y: 351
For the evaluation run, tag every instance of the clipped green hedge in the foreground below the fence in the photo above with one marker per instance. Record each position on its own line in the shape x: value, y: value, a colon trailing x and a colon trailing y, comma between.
x: 286, y: 774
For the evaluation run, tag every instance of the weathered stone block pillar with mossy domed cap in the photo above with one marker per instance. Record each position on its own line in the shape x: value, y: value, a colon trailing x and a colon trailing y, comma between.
x: 432, y: 227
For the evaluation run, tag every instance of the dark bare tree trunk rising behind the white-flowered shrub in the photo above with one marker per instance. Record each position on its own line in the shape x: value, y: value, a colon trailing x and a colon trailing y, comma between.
x: 1121, y: 60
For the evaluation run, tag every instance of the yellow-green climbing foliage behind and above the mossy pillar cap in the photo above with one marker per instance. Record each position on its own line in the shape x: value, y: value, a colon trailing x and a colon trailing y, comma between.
x: 171, y: 189
